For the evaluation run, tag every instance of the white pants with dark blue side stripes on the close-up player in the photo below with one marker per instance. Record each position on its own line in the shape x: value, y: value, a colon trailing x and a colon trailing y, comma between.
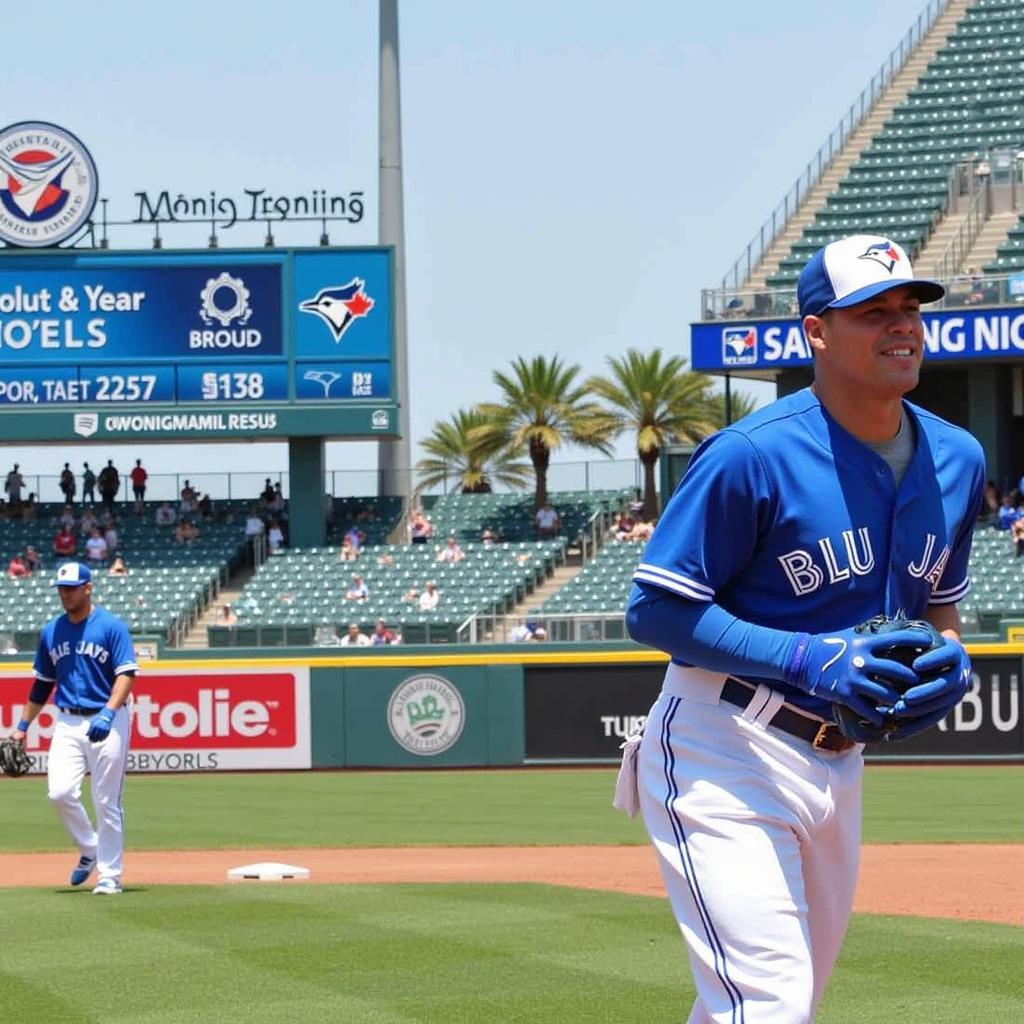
x: 758, y: 838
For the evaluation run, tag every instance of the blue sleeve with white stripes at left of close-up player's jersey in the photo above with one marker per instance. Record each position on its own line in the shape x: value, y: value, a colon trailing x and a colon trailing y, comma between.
x: 710, y: 529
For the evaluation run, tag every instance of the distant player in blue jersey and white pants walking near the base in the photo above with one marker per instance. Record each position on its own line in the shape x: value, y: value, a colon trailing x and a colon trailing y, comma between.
x: 89, y: 654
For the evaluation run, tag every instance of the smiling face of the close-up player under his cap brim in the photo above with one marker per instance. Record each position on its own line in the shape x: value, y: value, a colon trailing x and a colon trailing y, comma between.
x: 873, y: 350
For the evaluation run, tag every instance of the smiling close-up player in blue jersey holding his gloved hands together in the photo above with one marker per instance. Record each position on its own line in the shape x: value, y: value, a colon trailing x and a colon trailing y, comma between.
x: 831, y: 506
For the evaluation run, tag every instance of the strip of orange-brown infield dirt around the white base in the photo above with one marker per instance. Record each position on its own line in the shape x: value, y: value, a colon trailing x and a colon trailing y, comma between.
x: 967, y: 883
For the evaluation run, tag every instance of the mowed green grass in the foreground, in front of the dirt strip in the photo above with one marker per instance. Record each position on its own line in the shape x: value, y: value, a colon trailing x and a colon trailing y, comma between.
x: 451, y: 955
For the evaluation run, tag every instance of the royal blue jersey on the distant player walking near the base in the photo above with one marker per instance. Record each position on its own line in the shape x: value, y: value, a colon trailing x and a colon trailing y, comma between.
x: 84, y: 659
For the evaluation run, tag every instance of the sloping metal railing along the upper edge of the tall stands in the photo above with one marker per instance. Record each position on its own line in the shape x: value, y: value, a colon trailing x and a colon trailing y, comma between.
x: 823, y: 160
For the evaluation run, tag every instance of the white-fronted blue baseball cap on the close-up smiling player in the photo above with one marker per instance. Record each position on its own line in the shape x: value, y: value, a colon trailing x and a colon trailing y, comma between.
x: 852, y: 270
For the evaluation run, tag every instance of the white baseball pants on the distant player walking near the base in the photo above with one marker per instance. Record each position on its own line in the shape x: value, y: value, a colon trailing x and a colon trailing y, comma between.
x: 72, y: 755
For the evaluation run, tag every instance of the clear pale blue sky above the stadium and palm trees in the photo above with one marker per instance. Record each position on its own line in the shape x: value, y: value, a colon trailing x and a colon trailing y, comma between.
x: 575, y: 173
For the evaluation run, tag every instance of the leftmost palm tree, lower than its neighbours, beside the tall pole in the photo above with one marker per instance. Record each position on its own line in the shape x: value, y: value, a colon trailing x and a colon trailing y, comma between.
x: 452, y: 454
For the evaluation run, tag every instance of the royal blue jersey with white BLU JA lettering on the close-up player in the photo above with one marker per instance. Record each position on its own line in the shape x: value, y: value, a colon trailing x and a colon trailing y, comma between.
x: 787, y: 521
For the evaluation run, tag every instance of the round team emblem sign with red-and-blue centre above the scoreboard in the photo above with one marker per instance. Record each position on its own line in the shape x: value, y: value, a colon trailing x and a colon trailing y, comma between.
x: 49, y: 185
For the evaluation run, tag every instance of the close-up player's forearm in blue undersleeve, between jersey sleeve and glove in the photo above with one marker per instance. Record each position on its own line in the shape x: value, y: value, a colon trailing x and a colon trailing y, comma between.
x: 707, y: 635
